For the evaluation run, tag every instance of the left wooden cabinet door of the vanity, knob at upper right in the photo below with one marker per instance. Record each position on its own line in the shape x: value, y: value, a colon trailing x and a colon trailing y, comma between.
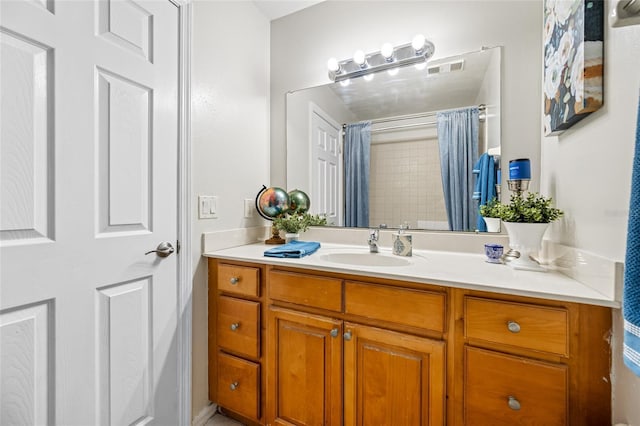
x: 304, y: 369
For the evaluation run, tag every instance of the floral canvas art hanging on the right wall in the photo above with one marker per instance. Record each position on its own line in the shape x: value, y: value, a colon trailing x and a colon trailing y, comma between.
x: 573, y: 62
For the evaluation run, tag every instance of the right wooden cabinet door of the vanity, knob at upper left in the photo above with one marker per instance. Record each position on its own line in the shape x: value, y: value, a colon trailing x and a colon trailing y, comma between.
x: 392, y: 378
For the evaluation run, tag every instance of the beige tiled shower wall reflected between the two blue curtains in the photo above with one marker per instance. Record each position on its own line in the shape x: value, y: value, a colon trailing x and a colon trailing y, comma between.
x: 405, y: 184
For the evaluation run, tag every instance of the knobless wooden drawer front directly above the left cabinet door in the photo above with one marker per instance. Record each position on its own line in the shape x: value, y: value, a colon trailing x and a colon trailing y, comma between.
x: 308, y: 290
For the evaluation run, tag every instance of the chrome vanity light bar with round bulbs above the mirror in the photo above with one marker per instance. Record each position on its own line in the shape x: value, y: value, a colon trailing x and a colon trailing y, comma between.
x: 420, y: 50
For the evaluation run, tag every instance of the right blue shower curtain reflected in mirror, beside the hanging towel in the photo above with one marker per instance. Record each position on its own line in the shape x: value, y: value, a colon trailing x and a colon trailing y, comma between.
x: 458, y: 141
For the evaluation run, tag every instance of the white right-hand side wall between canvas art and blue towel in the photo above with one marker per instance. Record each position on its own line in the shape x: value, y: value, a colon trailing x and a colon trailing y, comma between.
x: 587, y: 170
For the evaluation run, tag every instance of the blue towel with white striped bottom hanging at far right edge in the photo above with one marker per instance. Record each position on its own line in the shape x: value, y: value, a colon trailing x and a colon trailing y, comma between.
x: 631, y: 294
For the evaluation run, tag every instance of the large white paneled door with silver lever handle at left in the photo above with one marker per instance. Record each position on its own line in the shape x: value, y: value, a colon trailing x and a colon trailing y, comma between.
x: 88, y: 169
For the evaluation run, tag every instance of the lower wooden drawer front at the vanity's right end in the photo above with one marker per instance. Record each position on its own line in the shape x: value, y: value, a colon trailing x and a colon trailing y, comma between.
x: 506, y: 390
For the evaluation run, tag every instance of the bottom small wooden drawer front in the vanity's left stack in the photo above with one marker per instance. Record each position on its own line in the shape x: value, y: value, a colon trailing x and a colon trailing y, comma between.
x: 239, y: 385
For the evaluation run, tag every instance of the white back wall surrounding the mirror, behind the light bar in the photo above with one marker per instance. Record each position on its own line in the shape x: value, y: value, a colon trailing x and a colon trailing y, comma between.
x: 301, y: 44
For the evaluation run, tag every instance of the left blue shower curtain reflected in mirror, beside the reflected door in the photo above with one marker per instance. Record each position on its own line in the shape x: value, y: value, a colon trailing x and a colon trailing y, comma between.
x: 357, y: 153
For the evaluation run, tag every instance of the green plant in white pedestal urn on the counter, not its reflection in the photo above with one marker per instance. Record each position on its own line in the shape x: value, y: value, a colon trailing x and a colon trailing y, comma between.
x: 526, y: 220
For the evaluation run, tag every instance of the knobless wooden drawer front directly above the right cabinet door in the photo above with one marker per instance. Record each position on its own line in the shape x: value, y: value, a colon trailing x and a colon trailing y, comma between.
x: 422, y: 309
